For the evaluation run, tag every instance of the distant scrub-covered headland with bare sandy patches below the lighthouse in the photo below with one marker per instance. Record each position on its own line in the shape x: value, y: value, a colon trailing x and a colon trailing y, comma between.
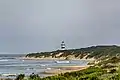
x: 91, y: 52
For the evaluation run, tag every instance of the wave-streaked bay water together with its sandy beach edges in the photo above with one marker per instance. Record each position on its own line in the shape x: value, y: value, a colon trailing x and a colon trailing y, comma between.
x: 16, y: 65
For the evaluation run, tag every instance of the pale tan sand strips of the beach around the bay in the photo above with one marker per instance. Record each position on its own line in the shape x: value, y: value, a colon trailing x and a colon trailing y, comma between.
x: 62, y: 69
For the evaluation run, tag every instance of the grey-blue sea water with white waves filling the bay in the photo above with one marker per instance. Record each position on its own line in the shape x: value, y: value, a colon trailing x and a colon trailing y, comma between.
x: 12, y: 64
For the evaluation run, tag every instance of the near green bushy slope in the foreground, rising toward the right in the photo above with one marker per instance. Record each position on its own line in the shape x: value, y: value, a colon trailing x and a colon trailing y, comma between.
x: 106, y: 69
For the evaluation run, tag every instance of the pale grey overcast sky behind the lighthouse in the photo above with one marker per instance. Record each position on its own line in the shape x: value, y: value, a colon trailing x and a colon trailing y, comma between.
x: 41, y: 25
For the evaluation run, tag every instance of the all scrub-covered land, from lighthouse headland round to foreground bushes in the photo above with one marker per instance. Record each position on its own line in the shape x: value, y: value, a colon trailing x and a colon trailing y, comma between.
x: 105, y: 67
